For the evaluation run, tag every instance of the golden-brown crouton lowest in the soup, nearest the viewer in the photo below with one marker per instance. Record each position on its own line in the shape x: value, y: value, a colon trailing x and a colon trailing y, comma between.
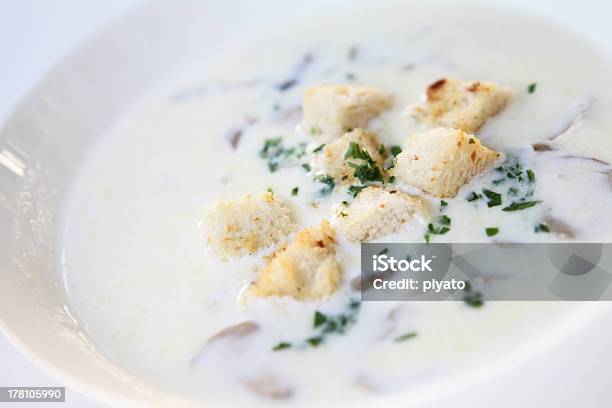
x: 306, y: 268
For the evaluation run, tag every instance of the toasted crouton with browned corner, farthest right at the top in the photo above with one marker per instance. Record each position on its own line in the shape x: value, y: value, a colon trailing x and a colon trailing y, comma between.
x: 461, y: 104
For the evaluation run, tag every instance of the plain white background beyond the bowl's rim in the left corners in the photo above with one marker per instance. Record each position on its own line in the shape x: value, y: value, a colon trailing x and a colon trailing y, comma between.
x: 34, y: 36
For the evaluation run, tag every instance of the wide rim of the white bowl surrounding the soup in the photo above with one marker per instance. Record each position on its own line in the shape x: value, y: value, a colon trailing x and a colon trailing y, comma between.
x: 44, y: 140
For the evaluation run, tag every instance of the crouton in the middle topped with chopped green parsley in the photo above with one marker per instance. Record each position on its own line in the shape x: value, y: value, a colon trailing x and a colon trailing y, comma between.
x: 332, y: 162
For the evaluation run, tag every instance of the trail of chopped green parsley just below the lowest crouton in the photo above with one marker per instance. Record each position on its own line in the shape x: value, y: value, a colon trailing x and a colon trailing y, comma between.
x: 326, y: 325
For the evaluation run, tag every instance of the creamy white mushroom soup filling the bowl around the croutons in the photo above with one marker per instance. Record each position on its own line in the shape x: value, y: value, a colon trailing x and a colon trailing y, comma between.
x: 150, y: 295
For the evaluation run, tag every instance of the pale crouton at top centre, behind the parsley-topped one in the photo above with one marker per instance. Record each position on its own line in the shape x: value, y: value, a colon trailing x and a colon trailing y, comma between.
x: 332, y: 110
